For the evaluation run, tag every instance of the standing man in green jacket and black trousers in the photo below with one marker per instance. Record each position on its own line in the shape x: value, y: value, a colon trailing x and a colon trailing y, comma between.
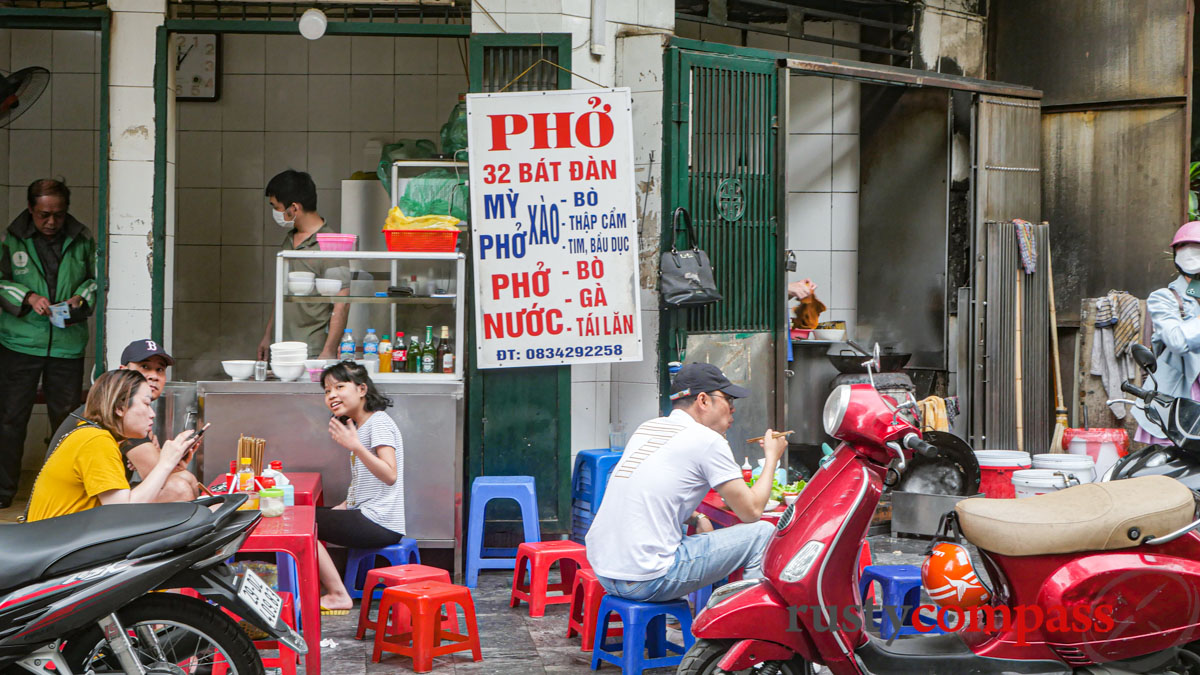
x: 47, y: 292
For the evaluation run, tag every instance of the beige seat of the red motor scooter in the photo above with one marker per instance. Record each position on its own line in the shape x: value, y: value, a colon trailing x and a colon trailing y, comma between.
x: 1095, y: 517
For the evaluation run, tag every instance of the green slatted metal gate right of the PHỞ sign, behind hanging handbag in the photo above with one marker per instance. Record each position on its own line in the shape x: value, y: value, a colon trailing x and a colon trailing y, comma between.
x: 721, y: 148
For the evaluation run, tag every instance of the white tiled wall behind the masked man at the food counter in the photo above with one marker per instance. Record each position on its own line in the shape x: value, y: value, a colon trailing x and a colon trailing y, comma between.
x: 286, y: 103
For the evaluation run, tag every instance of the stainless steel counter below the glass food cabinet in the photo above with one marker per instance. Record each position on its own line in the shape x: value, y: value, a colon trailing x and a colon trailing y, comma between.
x: 295, y: 421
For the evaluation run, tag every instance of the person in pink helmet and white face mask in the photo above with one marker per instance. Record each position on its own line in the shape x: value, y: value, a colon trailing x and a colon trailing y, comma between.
x: 1175, y: 316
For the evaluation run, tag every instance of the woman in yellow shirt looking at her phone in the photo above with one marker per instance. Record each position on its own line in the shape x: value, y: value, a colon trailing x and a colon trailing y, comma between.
x: 87, y: 469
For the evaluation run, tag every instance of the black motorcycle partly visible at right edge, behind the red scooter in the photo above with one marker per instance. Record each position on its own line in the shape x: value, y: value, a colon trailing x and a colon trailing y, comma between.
x: 1178, y: 419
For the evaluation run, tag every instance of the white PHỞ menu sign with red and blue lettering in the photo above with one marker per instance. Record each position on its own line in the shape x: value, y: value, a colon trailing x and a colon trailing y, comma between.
x: 554, y: 228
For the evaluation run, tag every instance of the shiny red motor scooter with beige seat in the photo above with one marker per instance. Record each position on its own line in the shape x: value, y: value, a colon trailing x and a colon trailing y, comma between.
x: 1106, y: 574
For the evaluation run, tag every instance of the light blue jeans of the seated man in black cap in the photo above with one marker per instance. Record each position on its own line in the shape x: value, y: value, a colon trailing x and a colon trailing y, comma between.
x: 701, y: 560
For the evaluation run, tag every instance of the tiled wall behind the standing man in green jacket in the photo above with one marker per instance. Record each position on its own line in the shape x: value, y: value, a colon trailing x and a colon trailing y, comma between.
x: 57, y: 138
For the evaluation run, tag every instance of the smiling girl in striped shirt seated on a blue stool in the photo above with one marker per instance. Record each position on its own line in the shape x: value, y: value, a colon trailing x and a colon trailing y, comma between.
x: 374, y: 512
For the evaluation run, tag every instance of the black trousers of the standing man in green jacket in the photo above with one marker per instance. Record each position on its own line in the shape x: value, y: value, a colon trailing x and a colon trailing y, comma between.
x: 20, y: 374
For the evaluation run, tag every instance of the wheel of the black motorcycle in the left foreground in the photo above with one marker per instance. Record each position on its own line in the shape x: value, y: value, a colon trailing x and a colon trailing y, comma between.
x: 172, y: 635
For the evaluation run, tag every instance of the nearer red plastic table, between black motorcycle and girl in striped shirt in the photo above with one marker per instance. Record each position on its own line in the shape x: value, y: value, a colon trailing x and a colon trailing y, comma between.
x: 296, y: 534
